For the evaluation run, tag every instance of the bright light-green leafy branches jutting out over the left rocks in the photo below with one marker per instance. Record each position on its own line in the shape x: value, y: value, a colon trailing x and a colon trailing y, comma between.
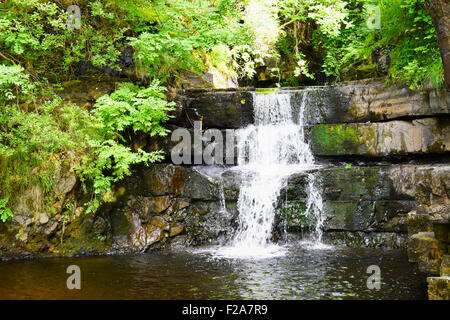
x: 129, y: 107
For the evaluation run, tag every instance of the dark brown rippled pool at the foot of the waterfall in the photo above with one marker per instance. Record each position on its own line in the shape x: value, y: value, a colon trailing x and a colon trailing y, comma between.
x: 339, y: 273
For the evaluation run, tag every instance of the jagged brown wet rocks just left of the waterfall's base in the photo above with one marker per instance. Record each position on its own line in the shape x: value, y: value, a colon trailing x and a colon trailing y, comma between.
x: 171, y: 205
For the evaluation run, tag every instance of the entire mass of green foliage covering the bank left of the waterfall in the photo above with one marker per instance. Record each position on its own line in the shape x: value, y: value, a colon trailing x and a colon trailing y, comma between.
x: 39, y: 51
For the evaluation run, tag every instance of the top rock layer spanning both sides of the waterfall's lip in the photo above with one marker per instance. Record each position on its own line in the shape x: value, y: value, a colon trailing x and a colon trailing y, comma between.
x: 346, y: 102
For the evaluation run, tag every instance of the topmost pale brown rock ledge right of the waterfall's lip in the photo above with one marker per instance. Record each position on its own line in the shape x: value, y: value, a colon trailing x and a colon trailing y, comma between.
x: 369, y: 100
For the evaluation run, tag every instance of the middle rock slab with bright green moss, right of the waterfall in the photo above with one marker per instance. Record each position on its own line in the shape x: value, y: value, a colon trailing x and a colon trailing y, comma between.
x: 421, y: 136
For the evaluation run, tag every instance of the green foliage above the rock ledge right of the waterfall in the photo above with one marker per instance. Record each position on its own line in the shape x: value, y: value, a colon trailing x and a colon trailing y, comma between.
x: 347, y: 47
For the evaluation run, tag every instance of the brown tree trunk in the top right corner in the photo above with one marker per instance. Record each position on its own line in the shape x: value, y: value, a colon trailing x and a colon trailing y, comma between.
x: 440, y: 13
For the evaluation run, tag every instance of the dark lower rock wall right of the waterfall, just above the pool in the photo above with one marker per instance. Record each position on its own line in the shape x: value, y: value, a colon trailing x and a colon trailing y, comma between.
x: 372, y: 205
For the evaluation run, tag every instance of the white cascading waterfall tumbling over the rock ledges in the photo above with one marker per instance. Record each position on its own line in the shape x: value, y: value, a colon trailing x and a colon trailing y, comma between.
x: 268, y: 153
